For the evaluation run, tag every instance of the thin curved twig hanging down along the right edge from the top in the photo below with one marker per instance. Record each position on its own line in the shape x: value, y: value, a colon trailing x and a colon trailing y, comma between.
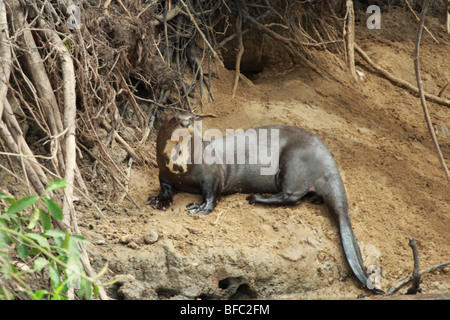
x: 422, y: 95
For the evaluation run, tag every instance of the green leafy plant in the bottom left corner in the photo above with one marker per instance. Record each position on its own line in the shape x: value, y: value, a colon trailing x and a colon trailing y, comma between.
x: 49, y: 249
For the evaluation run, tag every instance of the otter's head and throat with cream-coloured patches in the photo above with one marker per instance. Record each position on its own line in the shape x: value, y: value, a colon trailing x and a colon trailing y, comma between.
x: 174, y: 142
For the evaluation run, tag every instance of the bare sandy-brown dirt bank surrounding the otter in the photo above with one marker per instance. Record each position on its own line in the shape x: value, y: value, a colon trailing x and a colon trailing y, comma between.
x: 377, y: 134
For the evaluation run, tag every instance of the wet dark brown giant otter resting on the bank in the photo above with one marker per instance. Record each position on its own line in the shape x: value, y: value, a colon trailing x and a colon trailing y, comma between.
x: 303, y: 169
